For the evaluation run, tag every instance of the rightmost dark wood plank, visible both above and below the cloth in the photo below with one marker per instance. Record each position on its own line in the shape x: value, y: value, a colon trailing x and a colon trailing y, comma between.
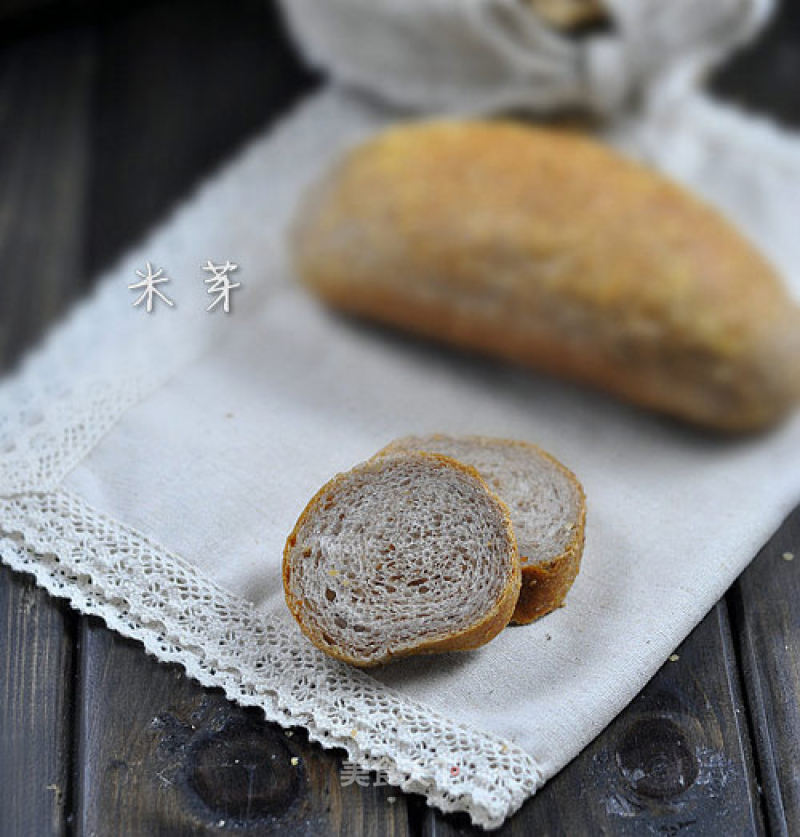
x: 764, y: 602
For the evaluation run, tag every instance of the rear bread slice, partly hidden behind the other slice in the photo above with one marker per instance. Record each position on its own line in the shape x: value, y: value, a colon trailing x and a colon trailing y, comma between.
x: 547, y: 505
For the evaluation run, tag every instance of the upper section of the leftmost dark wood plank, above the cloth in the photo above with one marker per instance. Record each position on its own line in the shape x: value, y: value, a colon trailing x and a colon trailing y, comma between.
x: 44, y: 114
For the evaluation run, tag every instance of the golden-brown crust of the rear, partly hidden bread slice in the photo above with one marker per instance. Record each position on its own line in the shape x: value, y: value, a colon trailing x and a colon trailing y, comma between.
x: 545, y: 584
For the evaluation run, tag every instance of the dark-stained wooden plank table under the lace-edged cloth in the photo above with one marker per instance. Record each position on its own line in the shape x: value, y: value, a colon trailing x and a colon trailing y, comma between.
x: 105, y: 121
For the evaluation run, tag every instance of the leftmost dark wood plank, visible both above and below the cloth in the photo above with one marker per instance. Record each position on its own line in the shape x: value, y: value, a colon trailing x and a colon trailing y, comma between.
x: 43, y: 151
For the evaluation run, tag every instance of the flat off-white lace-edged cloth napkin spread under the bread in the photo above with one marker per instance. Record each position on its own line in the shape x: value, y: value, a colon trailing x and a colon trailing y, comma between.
x: 152, y: 464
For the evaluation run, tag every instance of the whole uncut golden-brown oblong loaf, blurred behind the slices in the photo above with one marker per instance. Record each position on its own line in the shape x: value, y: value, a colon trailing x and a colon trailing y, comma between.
x: 547, y: 249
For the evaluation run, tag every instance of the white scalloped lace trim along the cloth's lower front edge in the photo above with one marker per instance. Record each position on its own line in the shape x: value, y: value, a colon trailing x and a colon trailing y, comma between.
x: 144, y: 592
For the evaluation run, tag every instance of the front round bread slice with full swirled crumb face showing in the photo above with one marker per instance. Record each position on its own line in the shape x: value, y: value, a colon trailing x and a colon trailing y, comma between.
x: 403, y: 555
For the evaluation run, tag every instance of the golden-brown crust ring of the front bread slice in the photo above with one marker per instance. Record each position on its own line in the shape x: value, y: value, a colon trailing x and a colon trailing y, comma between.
x: 473, y: 636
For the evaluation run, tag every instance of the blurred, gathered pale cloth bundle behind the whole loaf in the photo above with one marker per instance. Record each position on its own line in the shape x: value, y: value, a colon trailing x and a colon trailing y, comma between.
x: 485, y: 56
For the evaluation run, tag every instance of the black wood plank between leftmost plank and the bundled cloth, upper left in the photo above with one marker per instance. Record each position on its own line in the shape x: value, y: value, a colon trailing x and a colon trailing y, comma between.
x: 181, y: 86
